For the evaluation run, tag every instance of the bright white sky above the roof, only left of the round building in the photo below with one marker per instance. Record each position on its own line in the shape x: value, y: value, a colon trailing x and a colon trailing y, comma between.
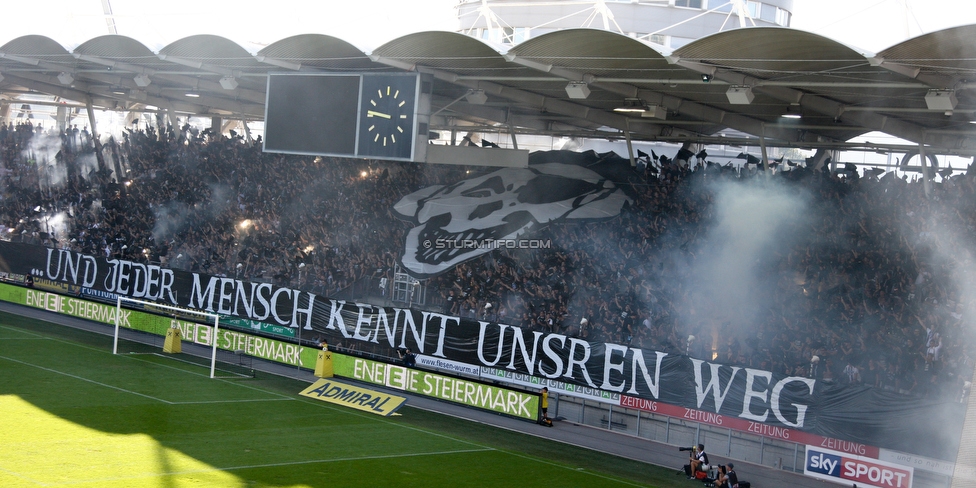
x: 250, y: 23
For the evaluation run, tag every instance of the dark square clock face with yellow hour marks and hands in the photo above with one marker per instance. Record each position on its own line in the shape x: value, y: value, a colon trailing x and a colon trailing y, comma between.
x: 386, y: 117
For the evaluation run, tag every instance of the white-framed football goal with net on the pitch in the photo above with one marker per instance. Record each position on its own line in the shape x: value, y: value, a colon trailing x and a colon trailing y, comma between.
x: 146, y: 333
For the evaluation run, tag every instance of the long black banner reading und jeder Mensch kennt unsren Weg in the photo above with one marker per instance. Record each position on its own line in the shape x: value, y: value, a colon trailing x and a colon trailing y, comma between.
x: 763, y: 400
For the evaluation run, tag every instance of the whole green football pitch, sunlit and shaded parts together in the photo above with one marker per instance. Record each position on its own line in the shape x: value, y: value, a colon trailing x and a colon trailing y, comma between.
x: 73, y: 414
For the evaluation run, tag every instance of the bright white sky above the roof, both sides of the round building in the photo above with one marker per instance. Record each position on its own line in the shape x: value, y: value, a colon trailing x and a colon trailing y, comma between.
x: 871, y: 25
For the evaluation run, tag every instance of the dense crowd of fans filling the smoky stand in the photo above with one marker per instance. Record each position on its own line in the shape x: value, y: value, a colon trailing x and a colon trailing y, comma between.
x: 873, y: 287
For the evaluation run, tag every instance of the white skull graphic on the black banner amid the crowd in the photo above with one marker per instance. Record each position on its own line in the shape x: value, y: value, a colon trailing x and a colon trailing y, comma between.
x: 458, y: 222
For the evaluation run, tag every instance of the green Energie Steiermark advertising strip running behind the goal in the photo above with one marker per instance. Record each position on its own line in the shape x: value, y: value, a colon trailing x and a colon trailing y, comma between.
x: 229, y: 340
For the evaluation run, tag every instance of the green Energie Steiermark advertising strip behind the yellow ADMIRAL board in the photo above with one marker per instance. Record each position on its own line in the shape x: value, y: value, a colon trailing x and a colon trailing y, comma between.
x: 472, y: 394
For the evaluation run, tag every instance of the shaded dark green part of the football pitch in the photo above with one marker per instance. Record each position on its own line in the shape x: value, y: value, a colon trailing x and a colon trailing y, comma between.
x: 269, y: 436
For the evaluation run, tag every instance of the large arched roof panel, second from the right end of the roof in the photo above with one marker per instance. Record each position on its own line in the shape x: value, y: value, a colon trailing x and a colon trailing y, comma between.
x: 785, y: 66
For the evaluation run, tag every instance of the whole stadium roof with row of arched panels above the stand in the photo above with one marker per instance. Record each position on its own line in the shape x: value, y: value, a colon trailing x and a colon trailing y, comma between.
x: 918, y: 90
